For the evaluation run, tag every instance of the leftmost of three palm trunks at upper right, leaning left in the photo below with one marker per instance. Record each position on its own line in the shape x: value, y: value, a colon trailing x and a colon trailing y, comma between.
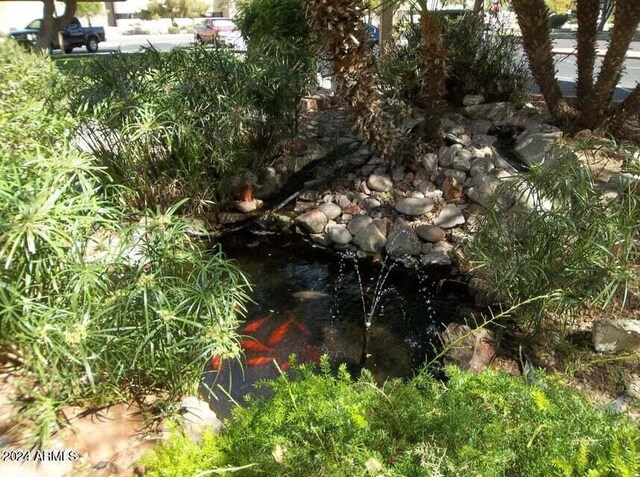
x: 532, y: 17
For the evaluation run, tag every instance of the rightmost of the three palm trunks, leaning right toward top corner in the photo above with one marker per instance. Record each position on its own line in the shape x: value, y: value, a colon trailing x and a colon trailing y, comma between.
x: 627, y: 18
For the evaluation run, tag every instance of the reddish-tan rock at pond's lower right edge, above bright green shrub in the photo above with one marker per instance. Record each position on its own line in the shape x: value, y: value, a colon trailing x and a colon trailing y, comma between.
x: 469, y: 349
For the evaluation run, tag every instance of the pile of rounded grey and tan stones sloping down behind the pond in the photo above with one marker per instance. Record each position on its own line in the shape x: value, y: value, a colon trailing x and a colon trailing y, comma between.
x: 422, y: 210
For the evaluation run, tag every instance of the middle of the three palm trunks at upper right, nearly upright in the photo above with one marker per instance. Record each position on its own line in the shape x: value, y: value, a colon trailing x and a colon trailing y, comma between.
x: 587, y: 14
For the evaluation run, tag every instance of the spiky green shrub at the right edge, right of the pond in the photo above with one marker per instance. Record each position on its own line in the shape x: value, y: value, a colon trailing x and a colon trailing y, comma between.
x: 570, y: 242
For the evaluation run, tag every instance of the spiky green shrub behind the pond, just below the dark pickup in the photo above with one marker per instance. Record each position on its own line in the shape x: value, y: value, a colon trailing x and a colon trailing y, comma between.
x: 177, y: 124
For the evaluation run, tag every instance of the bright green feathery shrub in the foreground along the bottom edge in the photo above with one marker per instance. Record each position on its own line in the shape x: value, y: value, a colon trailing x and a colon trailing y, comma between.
x: 488, y: 424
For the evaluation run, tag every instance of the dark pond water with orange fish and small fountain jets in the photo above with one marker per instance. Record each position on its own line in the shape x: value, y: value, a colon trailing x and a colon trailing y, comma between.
x: 310, y: 302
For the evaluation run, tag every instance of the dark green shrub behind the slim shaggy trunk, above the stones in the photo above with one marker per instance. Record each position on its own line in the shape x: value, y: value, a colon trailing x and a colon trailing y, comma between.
x: 478, y: 62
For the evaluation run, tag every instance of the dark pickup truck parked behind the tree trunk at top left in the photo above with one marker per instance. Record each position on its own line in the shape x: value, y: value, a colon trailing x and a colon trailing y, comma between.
x: 73, y: 36
